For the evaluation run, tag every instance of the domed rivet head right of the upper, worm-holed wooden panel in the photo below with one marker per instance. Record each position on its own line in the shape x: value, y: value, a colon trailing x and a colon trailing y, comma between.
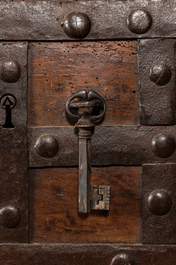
x: 160, y: 74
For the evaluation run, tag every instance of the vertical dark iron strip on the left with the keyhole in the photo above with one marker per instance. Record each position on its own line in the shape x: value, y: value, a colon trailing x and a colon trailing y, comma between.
x: 13, y: 147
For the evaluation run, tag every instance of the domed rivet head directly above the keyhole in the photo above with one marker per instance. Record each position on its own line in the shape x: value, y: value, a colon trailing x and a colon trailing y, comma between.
x: 10, y: 71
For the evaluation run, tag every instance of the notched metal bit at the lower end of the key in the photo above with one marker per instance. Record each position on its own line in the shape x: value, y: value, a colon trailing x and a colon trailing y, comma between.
x: 100, y: 197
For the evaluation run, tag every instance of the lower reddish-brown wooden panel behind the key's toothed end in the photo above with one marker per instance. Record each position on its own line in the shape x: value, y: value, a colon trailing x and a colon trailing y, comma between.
x: 54, y: 213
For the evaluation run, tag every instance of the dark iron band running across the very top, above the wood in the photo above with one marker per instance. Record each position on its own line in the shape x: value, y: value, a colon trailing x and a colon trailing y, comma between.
x: 41, y: 20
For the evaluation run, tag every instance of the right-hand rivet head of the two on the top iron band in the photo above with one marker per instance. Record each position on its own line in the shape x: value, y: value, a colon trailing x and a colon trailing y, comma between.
x: 139, y: 21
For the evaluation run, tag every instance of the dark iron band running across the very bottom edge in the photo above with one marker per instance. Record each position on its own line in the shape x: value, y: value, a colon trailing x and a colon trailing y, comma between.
x: 84, y: 254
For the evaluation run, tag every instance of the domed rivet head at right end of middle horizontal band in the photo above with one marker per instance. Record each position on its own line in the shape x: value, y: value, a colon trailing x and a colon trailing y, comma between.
x: 163, y: 145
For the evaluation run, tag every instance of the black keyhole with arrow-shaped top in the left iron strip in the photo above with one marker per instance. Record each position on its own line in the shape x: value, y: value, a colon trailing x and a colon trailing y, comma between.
x: 8, y: 102
